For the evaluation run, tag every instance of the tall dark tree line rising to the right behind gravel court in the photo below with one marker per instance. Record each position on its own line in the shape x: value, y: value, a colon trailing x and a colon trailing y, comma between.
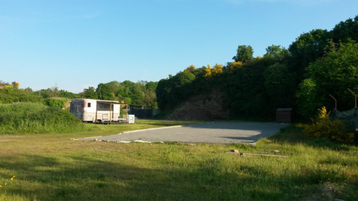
x: 317, y: 66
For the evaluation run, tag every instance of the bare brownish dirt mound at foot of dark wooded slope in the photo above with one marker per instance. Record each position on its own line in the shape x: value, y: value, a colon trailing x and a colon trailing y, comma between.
x: 202, y: 107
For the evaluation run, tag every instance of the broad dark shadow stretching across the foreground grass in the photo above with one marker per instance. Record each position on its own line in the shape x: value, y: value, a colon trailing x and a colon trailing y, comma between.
x: 83, y: 178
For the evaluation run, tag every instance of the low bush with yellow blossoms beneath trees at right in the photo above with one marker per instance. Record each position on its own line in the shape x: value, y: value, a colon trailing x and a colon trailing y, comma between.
x: 324, y: 127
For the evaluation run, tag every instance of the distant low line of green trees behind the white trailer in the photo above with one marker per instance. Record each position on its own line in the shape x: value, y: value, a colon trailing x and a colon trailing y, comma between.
x: 140, y: 93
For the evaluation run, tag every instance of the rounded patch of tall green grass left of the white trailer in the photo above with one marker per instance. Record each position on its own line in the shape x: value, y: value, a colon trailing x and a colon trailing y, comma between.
x: 24, y: 118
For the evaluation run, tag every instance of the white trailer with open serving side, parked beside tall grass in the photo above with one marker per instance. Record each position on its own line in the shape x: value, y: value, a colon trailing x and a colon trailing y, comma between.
x: 91, y: 110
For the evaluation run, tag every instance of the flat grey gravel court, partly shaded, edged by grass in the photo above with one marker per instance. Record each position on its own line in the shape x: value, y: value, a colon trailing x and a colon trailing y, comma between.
x: 215, y: 132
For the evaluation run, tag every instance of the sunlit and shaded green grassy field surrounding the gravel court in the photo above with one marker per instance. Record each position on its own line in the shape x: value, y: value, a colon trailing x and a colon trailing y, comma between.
x: 52, y: 167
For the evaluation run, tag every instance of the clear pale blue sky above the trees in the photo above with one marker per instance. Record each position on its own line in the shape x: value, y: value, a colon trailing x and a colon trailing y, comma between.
x: 81, y: 43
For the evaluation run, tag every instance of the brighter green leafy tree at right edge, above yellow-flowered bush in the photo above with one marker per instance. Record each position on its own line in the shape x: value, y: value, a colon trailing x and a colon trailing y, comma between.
x: 332, y: 74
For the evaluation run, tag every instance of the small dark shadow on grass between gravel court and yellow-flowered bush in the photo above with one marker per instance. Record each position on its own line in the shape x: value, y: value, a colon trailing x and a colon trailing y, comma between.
x: 294, y: 135
